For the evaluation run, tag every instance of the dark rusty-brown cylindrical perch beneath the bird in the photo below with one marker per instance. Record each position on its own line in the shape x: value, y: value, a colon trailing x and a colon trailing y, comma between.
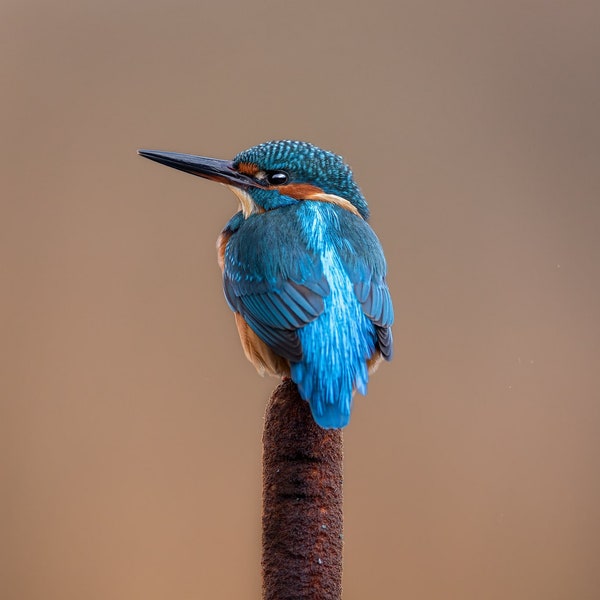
x: 302, y: 502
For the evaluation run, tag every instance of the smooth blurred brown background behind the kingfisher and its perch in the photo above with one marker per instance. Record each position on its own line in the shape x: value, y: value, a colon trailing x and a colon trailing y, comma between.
x: 130, y: 422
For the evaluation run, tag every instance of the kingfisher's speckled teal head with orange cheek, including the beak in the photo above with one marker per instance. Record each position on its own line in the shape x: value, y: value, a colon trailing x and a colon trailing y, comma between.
x: 275, y: 174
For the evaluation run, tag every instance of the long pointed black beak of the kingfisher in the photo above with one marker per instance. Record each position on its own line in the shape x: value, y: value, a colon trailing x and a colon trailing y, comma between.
x: 214, y: 169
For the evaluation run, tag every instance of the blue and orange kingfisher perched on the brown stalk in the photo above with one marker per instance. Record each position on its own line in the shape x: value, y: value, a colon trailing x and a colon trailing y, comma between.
x: 303, y: 272
